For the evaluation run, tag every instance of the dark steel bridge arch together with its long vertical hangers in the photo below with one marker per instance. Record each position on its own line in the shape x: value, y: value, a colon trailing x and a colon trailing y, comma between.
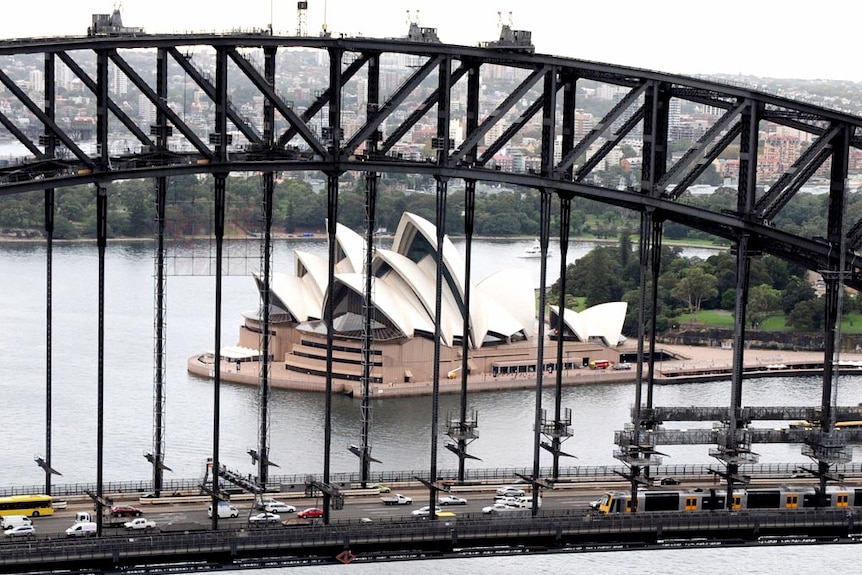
x: 374, y: 93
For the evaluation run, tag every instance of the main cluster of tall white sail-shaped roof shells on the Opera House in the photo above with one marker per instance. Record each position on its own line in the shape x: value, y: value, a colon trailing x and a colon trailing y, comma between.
x: 405, y: 287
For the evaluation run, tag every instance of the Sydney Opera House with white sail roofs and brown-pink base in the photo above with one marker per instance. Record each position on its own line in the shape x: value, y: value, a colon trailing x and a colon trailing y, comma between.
x: 503, y: 319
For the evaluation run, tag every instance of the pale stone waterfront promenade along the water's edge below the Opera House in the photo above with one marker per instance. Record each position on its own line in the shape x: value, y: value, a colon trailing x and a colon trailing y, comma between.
x: 691, y: 363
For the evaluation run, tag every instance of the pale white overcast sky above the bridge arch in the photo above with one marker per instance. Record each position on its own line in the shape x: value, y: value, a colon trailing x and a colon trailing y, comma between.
x: 768, y: 38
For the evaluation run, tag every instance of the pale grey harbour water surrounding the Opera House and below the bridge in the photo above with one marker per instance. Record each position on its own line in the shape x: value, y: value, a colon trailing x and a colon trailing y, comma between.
x: 400, y: 426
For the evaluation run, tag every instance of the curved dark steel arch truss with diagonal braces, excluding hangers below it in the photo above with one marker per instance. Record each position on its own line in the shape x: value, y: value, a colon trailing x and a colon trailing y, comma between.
x: 302, y: 144
